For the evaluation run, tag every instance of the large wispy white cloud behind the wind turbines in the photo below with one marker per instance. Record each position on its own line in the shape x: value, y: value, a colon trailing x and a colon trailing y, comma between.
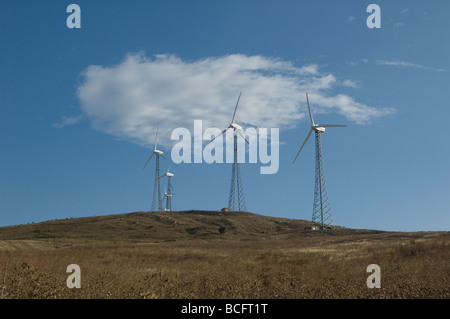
x: 130, y: 99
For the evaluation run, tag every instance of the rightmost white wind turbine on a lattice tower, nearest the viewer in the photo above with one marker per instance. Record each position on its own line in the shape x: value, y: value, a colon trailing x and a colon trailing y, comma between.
x: 321, y: 206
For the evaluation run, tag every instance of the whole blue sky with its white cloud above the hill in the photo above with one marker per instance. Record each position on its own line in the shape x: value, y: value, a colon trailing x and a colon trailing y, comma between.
x: 74, y: 139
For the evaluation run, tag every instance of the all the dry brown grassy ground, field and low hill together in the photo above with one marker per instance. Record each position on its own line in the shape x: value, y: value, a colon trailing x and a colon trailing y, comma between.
x: 133, y: 256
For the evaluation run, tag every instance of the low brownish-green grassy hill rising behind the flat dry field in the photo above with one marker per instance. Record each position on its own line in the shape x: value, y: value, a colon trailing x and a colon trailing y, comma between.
x: 165, y: 226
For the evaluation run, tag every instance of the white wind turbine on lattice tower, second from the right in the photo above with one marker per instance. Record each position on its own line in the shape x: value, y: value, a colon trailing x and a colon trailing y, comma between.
x: 236, y: 189
